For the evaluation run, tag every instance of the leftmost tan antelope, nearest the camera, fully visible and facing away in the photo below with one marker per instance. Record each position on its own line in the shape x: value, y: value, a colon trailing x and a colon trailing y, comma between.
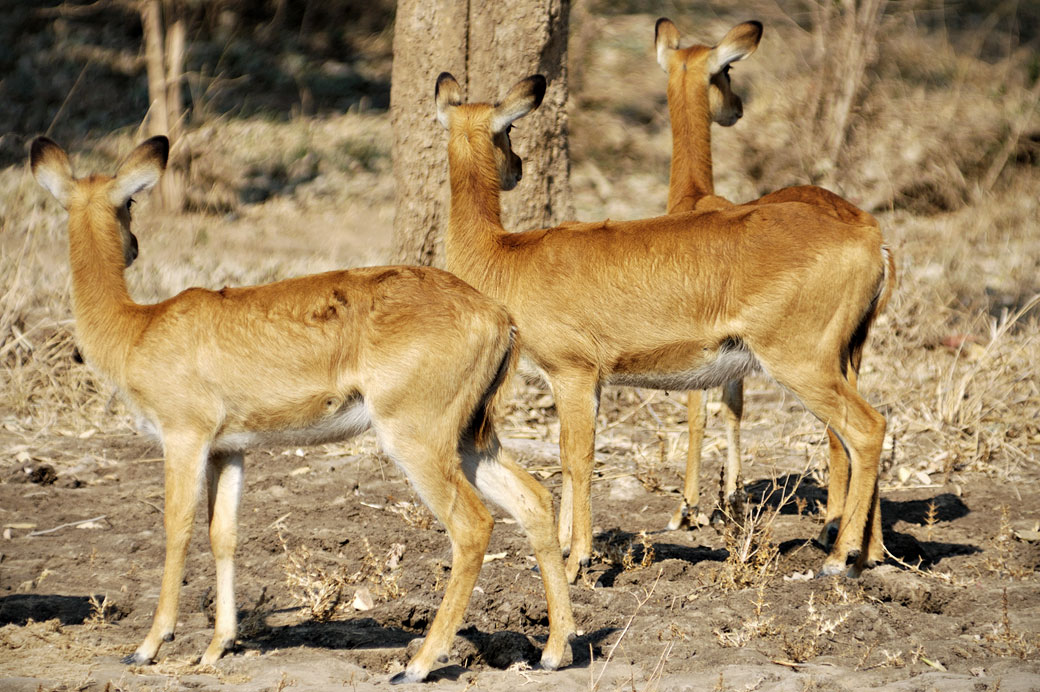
x: 414, y: 353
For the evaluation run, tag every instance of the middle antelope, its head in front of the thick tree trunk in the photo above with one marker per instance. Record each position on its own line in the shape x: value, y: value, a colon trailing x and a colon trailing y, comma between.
x: 679, y: 302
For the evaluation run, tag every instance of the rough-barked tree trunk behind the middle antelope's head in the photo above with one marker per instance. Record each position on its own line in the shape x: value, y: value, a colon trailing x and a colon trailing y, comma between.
x: 488, y: 47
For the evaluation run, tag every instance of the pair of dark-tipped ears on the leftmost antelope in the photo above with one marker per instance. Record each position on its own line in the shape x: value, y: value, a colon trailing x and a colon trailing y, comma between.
x: 140, y: 172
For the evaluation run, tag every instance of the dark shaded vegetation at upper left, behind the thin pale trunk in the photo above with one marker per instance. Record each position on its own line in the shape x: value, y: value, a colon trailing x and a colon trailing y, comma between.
x: 73, y: 69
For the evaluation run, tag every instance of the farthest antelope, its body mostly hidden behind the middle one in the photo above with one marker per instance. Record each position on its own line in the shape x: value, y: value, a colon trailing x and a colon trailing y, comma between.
x: 699, y: 93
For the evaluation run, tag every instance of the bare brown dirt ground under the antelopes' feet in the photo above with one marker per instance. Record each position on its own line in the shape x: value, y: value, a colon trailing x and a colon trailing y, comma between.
x: 668, y: 610
